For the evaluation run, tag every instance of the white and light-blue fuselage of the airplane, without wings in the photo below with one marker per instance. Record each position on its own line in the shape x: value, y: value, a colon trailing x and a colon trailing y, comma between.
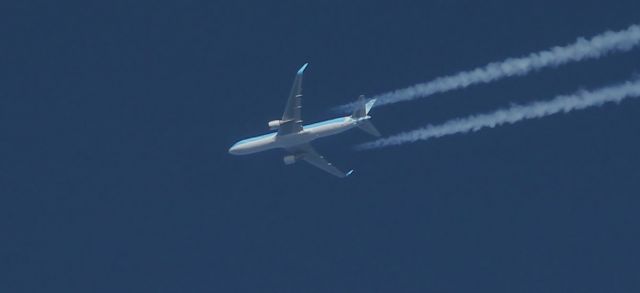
x: 309, y: 133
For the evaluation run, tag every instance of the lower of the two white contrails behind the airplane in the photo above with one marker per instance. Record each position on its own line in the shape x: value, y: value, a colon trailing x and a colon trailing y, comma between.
x: 564, y: 103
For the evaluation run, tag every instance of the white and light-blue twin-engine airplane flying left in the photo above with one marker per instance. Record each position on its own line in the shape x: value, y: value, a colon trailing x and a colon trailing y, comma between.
x: 295, y: 138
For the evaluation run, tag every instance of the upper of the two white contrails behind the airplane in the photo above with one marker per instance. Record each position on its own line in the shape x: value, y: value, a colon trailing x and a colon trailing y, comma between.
x: 582, y: 49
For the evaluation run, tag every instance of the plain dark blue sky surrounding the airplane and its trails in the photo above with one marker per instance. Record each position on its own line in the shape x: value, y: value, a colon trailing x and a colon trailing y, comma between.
x: 116, y: 118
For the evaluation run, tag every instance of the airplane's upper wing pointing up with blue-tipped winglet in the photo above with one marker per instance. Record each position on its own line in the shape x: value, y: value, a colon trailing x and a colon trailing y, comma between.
x: 292, y: 116
